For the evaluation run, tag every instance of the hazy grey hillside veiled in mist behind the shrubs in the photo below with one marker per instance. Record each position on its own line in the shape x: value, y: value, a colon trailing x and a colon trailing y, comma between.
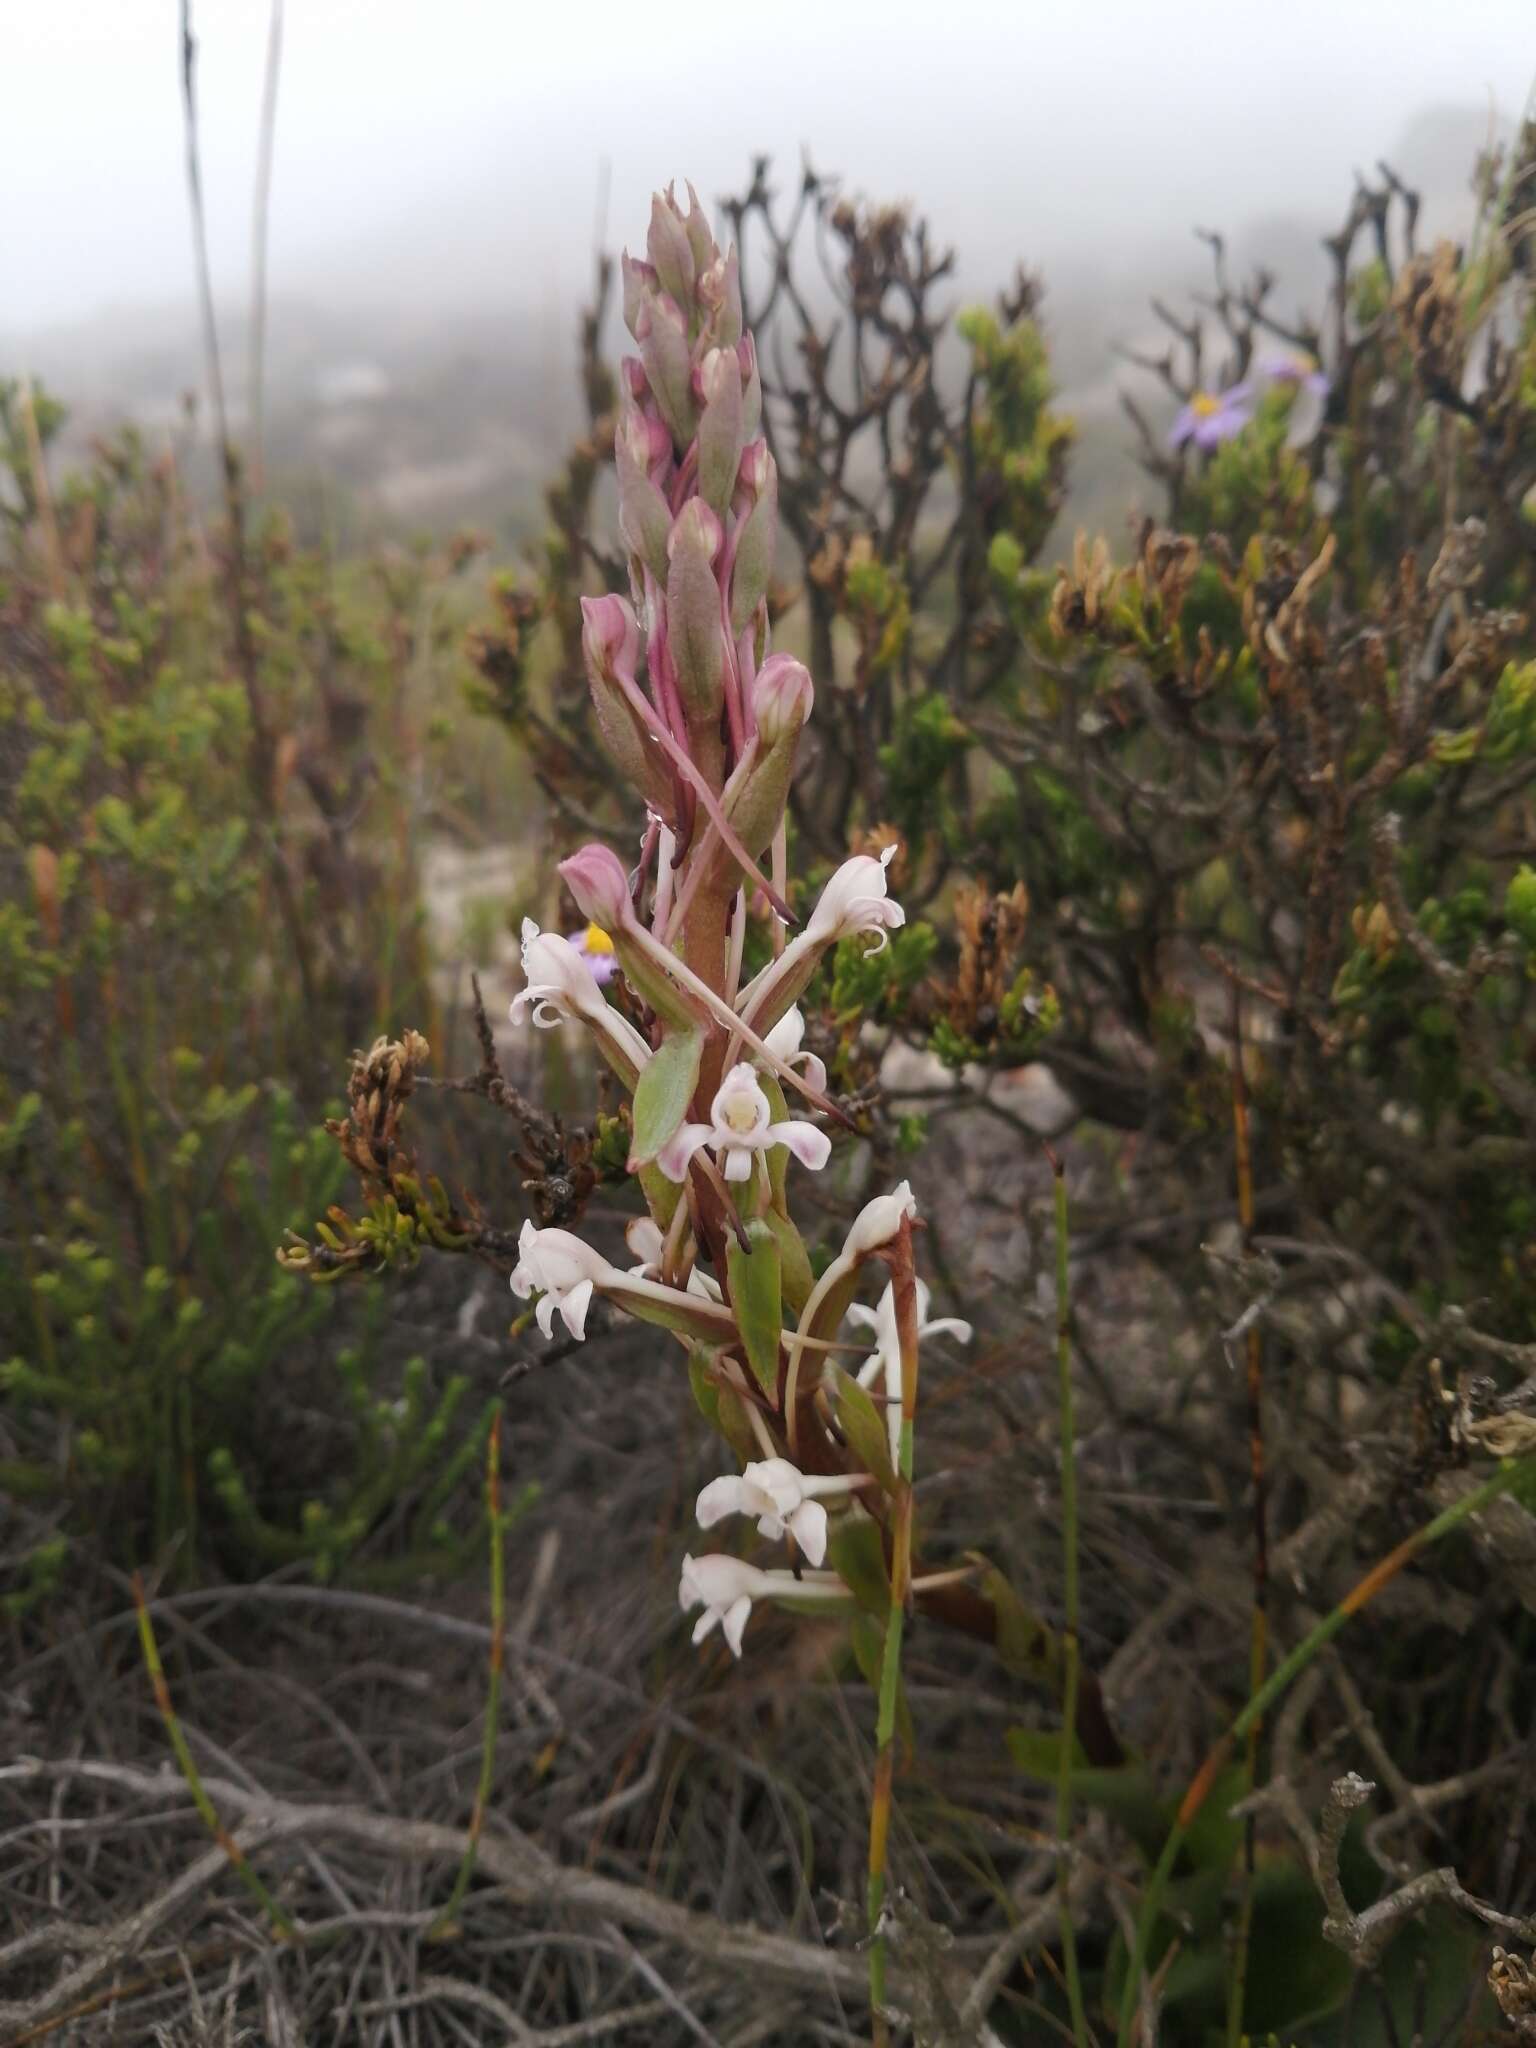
x: 400, y: 402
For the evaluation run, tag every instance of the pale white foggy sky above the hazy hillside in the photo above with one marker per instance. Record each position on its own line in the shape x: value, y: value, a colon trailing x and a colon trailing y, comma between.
x: 447, y: 153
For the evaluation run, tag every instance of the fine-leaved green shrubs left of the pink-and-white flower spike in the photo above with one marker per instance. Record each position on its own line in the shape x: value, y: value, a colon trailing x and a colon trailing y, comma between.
x: 202, y: 888
